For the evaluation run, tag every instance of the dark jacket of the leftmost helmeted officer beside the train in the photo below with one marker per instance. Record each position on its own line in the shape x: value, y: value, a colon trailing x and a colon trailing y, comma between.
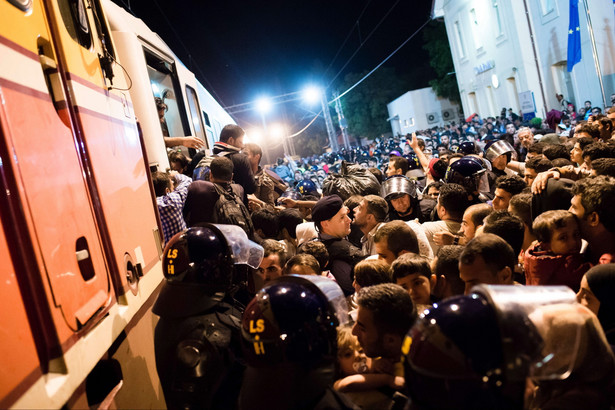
x: 215, y: 382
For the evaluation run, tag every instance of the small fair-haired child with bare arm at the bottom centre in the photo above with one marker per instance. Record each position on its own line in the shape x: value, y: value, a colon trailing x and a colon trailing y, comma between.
x: 355, y: 374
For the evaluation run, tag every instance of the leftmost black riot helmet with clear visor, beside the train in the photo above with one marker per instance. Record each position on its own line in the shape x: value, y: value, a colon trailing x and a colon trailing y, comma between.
x: 198, y: 265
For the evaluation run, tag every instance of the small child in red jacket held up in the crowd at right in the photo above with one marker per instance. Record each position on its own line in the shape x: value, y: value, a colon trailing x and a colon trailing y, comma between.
x: 555, y: 259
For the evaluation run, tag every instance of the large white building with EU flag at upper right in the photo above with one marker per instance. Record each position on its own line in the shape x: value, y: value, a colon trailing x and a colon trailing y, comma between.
x: 507, y: 51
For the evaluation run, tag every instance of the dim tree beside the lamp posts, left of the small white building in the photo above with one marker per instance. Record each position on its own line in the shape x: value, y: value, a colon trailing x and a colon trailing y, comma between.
x: 365, y: 107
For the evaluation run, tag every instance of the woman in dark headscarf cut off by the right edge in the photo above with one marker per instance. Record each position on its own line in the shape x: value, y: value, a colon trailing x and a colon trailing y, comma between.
x: 596, y: 293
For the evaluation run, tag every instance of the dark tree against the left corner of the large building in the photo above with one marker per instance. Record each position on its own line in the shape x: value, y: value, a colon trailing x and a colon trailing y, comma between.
x: 441, y: 60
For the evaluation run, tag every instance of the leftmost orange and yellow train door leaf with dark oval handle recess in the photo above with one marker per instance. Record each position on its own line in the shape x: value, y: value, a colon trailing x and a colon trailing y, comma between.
x: 49, y: 179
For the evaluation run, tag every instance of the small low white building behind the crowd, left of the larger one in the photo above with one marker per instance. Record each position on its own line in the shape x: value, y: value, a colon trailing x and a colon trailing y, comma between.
x: 419, y: 110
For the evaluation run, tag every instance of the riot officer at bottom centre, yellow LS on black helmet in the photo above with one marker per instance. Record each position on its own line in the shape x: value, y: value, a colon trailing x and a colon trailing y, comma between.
x: 289, y: 338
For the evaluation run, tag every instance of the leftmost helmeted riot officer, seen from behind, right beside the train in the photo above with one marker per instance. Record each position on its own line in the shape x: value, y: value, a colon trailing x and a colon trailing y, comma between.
x: 197, y: 337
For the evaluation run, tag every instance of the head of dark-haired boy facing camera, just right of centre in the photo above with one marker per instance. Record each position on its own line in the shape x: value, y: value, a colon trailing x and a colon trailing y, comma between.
x: 413, y: 273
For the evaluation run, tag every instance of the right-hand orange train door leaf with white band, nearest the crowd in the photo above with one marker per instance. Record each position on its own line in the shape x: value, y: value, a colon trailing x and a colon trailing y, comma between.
x: 108, y: 140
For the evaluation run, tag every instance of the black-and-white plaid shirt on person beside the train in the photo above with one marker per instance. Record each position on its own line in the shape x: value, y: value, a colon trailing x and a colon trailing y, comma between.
x: 170, y: 208
